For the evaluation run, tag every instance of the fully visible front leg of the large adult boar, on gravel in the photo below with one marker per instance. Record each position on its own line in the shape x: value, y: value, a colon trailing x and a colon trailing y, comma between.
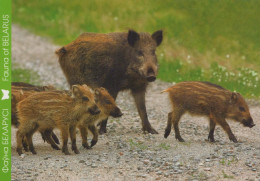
x: 139, y: 97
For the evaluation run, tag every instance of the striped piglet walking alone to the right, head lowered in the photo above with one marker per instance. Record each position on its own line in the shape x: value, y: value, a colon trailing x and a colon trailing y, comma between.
x: 213, y: 101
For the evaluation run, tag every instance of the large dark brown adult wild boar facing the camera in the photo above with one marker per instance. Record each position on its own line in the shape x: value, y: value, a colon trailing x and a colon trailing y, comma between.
x: 115, y: 61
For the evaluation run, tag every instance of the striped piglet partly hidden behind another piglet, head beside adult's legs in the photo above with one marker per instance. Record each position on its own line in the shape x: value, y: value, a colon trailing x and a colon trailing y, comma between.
x: 107, y: 106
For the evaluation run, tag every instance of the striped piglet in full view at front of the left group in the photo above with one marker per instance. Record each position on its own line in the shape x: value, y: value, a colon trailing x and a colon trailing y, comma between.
x: 48, y: 110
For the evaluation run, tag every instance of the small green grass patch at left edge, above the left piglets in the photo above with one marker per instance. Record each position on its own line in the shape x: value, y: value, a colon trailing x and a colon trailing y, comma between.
x: 25, y: 75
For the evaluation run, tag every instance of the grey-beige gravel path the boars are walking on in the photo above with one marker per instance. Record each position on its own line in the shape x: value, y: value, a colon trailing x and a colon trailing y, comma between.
x: 125, y: 153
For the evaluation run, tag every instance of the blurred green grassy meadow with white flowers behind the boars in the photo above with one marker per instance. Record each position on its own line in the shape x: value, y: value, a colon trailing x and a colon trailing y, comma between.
x: 209, y: 40
